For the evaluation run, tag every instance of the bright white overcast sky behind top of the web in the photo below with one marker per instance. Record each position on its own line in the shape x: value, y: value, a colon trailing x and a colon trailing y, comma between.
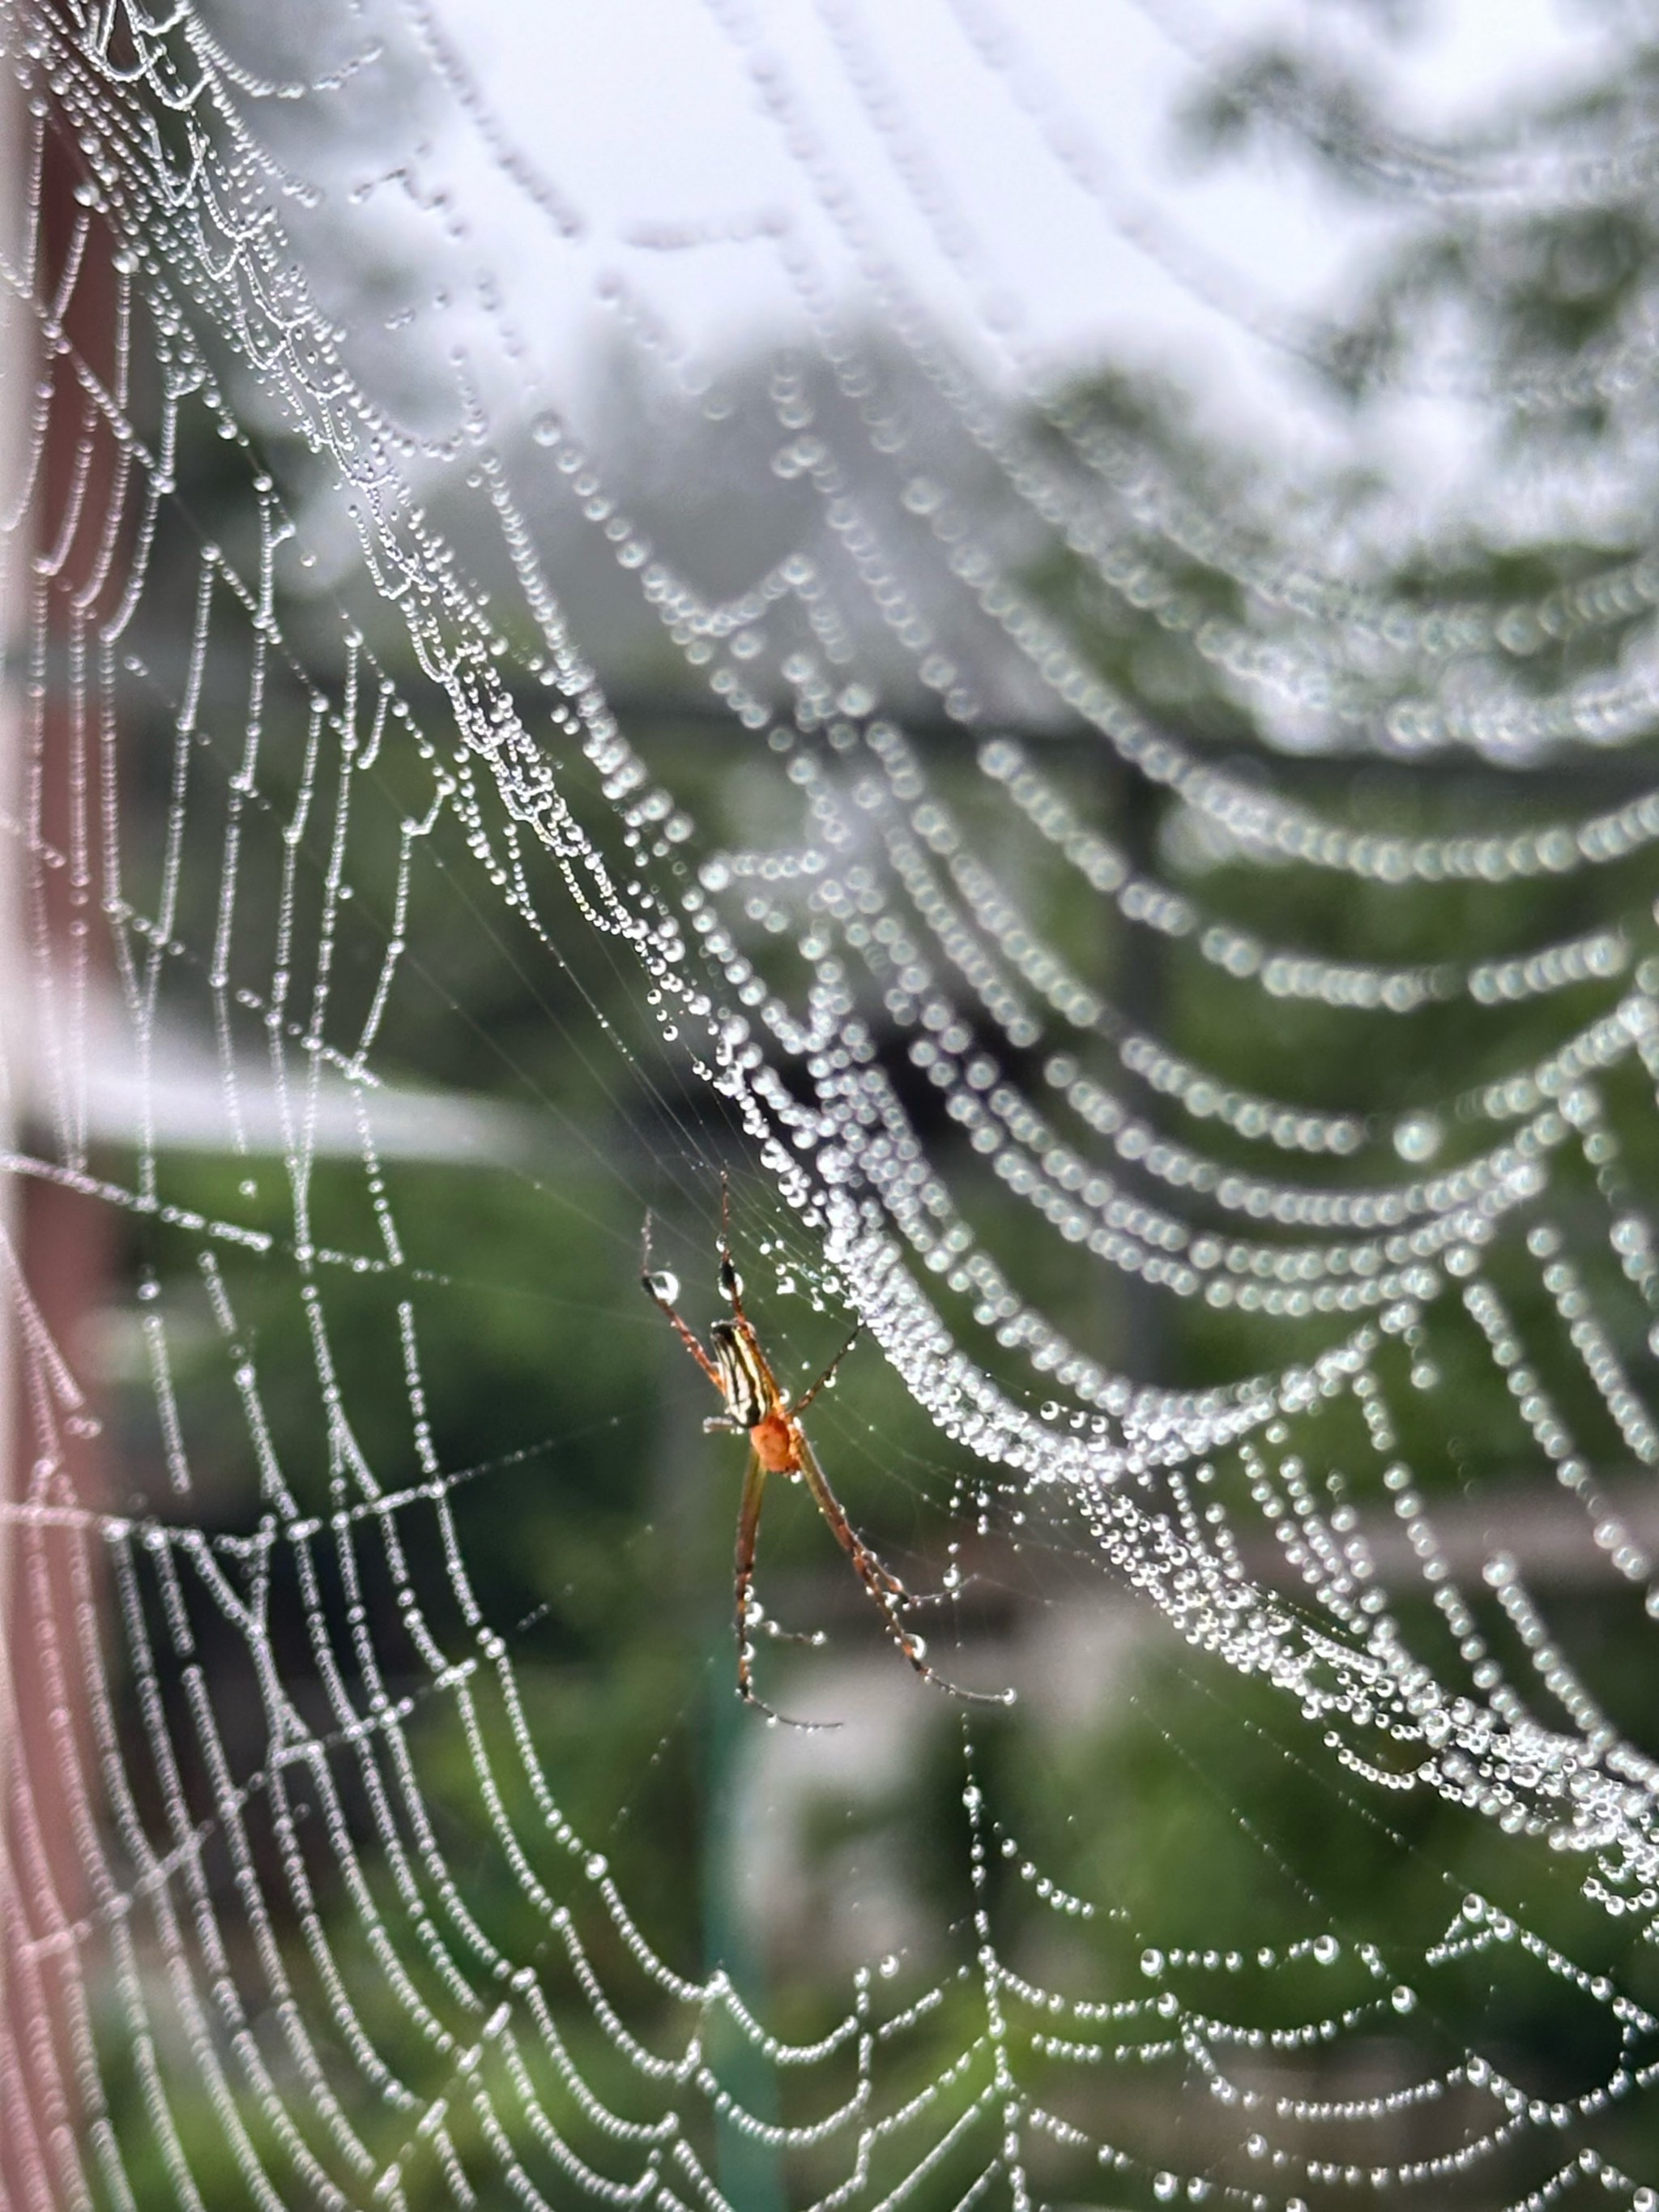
x: 645, y: 116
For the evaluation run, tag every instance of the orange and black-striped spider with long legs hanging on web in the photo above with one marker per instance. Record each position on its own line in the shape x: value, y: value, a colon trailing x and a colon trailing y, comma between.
x: 758, y: 1404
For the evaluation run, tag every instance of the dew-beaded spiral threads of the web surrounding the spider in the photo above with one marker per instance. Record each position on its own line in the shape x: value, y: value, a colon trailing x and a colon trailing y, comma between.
x: 180, y: 1939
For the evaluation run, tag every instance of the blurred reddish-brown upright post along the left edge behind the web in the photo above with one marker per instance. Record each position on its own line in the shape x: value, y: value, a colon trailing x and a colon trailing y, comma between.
x: 56, y: 1244
